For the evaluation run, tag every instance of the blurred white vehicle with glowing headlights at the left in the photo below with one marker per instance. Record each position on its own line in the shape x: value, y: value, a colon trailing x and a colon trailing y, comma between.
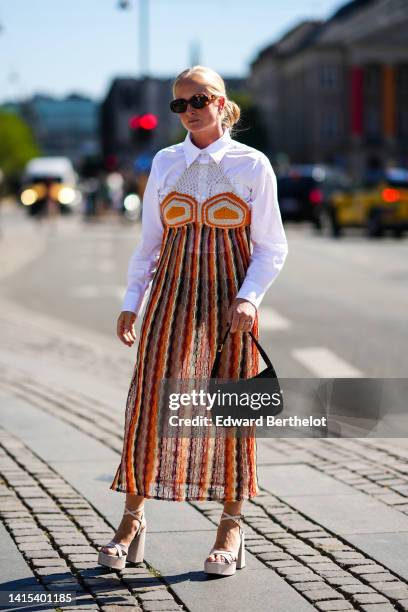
x: 49, y: 180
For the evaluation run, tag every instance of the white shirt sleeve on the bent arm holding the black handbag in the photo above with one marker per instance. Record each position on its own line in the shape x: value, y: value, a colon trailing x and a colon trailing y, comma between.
x: 268, y: 237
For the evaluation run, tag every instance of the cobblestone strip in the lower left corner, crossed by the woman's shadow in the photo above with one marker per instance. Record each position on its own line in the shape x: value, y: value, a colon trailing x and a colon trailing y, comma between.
x: 58, y: 532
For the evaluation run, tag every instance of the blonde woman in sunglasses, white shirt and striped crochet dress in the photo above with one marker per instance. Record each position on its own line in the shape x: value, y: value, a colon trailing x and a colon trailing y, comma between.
x: 206, y: 200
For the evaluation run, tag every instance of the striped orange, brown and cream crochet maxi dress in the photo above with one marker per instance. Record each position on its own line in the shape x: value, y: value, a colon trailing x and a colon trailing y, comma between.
x: 204, y: 255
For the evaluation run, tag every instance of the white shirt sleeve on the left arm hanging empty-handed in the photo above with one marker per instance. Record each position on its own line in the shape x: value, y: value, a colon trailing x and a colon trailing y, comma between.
x: 142, y: 263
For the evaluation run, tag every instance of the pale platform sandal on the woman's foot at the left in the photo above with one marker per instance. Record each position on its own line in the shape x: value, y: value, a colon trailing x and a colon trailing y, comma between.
x: 134, y: 552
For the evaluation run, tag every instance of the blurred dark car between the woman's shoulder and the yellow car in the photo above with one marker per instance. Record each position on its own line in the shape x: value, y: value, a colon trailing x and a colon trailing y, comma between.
x: 304, y: 190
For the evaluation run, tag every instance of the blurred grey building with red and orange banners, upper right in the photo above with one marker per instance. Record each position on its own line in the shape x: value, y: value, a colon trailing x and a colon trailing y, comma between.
x: 337, y: 91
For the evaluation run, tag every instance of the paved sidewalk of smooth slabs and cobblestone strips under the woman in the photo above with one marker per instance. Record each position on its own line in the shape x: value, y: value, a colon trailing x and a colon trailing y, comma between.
x: 328, y: 532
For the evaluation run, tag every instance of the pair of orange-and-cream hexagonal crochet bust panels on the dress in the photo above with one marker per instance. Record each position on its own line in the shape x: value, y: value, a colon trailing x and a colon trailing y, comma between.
x: 222, y: 210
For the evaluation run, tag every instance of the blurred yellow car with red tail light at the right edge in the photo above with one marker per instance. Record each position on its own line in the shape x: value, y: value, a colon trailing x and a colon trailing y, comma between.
x: 377, y: 204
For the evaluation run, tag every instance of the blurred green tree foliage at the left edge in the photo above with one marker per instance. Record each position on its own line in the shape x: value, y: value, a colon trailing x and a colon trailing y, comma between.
x: 17, y: 145
